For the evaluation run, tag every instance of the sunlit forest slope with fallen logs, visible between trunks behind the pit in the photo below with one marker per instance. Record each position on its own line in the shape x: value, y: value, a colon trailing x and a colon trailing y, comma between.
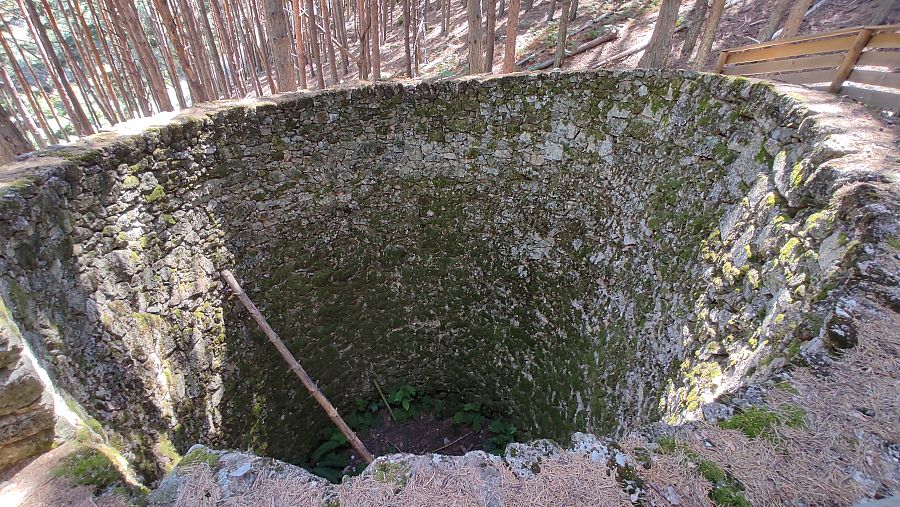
x: 446, y: 56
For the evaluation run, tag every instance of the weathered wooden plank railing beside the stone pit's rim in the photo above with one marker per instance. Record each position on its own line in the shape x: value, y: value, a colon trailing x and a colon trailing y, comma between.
x: 861, y: 62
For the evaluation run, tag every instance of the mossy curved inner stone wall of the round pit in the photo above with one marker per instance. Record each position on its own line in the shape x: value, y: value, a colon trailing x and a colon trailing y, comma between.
x: 584, y: 251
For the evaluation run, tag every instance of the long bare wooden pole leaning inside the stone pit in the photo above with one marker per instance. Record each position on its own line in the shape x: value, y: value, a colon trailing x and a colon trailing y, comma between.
x: 326, y: 405
